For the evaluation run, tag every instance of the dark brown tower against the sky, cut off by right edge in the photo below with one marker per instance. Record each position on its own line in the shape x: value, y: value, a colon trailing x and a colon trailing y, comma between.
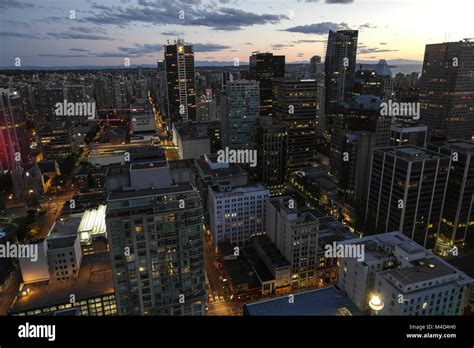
x: 447, y: 90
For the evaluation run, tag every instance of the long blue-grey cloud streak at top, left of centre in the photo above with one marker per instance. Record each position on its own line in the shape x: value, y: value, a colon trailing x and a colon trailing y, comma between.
x: 181, y: 12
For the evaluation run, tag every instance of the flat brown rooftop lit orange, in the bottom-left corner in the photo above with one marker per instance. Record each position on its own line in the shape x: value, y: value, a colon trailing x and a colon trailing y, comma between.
x: 94, y: 279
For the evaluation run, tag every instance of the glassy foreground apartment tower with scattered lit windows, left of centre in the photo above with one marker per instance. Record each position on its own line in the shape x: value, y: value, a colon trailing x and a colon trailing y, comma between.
x: 157, y: 255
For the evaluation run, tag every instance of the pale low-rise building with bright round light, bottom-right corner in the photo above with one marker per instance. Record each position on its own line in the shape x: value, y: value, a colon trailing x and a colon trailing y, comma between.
x: 403, y: 276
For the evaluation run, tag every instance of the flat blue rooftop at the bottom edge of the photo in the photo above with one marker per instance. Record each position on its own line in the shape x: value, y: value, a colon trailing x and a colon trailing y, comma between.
x: 326, y: 301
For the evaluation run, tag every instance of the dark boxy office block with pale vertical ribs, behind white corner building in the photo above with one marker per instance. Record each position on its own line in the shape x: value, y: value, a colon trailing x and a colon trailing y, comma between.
x: 407, y: 190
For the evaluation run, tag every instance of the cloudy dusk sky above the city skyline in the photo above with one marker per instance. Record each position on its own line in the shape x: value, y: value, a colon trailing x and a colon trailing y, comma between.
x: 41, y: 32
